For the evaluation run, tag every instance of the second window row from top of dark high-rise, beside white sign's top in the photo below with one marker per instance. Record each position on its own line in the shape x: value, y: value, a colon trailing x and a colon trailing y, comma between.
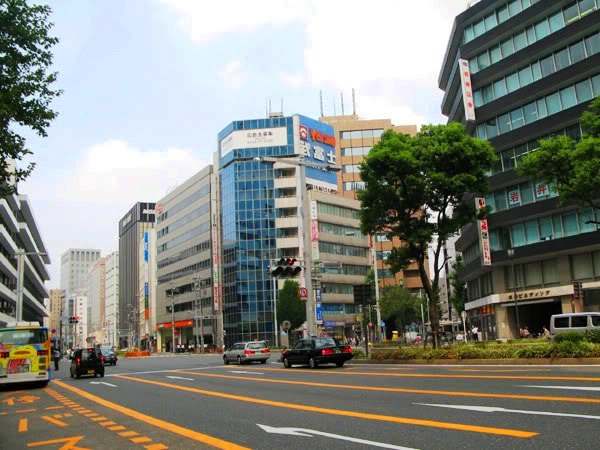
x: 532, y: 34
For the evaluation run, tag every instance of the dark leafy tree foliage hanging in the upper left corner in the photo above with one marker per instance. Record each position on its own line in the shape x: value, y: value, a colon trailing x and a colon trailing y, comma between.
x: 25, y: 83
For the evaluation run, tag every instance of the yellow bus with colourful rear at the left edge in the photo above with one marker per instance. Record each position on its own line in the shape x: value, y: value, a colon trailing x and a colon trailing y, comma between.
x: 25, y: 354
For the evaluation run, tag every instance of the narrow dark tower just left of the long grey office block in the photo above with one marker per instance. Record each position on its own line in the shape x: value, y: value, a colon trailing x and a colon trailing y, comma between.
x: 139, y: 219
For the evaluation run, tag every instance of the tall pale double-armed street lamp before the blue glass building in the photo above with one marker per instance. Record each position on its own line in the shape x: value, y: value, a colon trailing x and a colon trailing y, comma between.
x: 303, y: 207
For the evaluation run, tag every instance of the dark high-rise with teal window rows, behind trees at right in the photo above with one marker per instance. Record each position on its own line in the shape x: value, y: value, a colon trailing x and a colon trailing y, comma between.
x: 529, y: 70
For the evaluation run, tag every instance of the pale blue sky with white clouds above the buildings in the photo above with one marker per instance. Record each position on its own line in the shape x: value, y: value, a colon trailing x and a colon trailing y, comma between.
x: 148, y: 84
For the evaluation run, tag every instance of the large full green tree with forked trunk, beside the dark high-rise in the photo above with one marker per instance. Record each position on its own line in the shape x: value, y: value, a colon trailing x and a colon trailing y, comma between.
x: 415, y: 191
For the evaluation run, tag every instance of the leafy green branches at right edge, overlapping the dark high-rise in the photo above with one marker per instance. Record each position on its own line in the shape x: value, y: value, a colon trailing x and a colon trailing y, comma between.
x: 572, y: 167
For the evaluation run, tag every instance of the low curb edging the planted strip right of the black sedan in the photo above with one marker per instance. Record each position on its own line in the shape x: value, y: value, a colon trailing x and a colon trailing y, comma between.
x: 486, y: 362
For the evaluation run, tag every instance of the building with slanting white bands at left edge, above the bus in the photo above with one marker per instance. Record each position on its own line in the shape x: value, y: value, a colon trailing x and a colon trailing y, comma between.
x: 19, y: 233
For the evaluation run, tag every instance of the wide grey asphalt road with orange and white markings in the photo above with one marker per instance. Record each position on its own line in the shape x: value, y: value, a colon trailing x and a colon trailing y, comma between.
x: 196, y: 402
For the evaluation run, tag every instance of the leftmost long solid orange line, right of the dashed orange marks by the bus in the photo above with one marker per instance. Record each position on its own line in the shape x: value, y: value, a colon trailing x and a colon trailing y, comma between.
x: 191, y: 434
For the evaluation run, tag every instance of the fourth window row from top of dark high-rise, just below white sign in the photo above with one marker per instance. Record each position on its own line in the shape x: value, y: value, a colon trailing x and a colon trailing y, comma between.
x: 551, y: 104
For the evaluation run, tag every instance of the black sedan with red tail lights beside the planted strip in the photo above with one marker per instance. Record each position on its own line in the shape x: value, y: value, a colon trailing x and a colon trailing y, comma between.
x: 317, y: 350
